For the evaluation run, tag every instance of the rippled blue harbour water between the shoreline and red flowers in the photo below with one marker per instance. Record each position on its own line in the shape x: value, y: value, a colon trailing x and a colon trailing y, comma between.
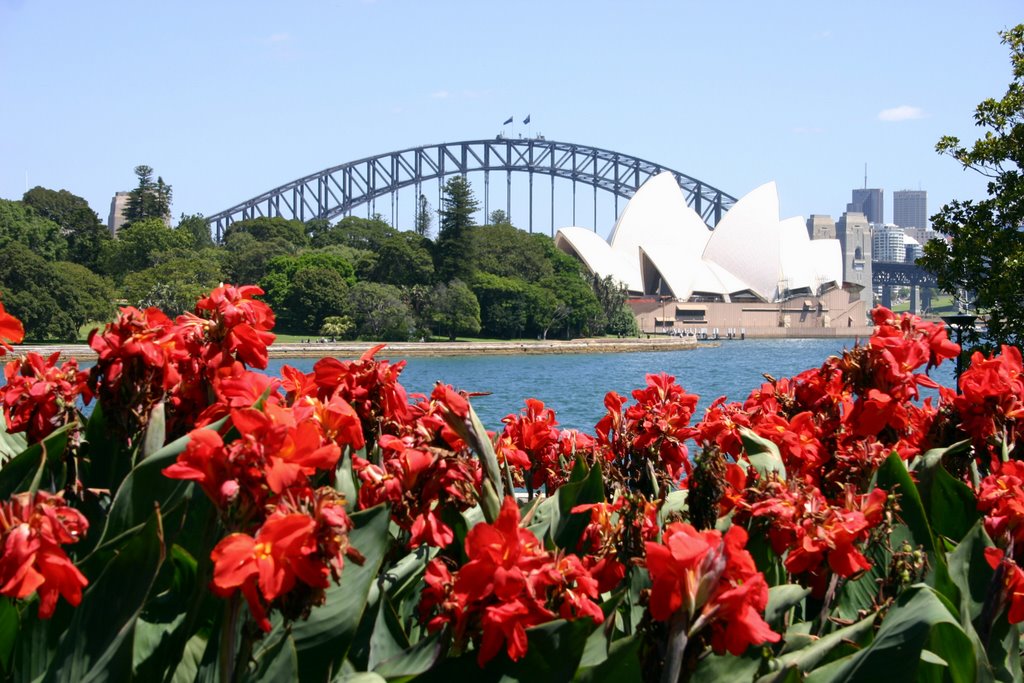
x: 575, y: 386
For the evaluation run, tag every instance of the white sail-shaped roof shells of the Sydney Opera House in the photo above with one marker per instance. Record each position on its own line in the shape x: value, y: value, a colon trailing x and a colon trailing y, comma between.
x: 658, y: 237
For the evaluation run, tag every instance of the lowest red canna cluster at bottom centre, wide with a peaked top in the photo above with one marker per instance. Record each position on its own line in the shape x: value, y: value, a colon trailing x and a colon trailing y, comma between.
x: 509, y: 584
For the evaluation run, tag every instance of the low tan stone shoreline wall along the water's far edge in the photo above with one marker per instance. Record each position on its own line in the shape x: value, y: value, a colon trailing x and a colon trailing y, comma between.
x: 522, y: 348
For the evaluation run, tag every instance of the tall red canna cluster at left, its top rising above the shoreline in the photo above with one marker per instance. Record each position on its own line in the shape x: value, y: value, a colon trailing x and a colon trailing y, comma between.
x: 146, y: 358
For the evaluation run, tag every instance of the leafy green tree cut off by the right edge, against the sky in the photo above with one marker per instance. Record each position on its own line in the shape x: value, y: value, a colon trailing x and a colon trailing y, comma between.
x: 985, y: 258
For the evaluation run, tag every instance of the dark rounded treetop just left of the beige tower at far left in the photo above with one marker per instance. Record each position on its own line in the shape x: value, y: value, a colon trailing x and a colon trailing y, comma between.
x: 79, y: 225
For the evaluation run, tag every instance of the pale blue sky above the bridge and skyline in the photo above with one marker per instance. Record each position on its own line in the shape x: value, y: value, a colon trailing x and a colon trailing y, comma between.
x: 228, y: 100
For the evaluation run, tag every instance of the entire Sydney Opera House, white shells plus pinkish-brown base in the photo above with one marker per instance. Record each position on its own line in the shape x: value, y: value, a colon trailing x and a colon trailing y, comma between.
x: 753, y: 273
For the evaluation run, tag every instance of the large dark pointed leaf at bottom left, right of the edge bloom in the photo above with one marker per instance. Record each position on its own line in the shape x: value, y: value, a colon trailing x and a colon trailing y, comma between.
x: 98, y: 646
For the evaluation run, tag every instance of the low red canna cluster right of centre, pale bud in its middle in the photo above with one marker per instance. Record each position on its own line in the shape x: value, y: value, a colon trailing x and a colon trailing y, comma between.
x: 712, y: 583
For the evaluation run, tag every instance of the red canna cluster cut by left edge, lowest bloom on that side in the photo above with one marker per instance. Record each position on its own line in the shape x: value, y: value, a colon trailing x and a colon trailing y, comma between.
x: 32, y: 530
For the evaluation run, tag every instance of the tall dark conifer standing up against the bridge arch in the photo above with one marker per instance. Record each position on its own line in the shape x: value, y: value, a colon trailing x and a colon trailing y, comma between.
x: 454, y: 252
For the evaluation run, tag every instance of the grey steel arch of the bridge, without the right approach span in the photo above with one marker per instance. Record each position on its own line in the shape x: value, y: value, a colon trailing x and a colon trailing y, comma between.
x: 337, y: 190
